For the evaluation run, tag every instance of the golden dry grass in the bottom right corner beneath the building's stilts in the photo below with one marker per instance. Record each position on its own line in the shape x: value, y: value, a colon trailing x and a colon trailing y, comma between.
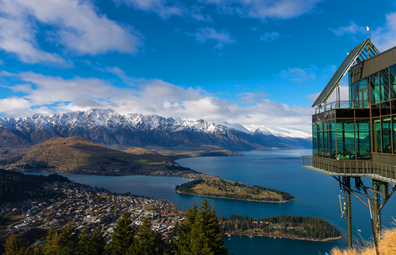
x: 387, y: 246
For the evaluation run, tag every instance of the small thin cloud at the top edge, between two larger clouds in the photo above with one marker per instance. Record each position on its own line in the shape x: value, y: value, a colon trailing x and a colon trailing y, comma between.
x: 166, y: 9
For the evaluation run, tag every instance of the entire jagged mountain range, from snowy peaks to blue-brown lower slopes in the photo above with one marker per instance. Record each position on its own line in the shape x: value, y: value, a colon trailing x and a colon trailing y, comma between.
x: 109, y: 128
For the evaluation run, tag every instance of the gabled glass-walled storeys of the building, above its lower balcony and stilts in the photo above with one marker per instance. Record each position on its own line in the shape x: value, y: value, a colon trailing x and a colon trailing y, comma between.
x: 364, y: 127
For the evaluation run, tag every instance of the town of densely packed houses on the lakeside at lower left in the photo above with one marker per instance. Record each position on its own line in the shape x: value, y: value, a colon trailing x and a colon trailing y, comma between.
x: 86, y: 207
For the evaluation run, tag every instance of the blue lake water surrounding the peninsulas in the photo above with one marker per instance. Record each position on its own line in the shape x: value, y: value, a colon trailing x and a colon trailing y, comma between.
x: 278, y: 169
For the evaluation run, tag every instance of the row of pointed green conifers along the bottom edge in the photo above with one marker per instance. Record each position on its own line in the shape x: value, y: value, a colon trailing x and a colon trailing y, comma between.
x: 199, y: 234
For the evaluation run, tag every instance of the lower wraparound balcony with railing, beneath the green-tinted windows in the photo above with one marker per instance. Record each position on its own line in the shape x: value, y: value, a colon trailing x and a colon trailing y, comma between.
x: 355, y: 168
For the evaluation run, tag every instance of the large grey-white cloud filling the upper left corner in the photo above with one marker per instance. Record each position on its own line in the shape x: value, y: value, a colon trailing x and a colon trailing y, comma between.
x: 75, y: 26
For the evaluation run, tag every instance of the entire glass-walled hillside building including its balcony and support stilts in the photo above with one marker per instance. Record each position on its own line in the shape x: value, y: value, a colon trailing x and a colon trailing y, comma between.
x: 357, y: 138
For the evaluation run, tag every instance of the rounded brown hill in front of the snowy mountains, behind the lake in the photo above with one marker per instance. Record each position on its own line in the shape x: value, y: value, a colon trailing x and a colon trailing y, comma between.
x: 76, y: 154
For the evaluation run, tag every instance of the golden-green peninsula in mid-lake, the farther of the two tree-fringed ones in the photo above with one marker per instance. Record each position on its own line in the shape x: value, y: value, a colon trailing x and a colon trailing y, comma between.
x: 220, y: 188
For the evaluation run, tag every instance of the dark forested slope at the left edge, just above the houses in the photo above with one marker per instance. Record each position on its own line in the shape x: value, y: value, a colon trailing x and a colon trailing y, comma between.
x: 16, y: 186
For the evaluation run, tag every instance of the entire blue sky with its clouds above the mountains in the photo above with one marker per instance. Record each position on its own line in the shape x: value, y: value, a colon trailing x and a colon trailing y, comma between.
x: 254, y: 62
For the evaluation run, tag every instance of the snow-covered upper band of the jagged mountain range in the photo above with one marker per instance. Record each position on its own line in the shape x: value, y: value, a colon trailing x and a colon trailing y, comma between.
x: 112, y: 121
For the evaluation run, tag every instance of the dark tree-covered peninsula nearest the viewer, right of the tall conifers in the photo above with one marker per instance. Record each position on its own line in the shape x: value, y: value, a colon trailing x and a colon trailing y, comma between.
x: 283, y: 226
